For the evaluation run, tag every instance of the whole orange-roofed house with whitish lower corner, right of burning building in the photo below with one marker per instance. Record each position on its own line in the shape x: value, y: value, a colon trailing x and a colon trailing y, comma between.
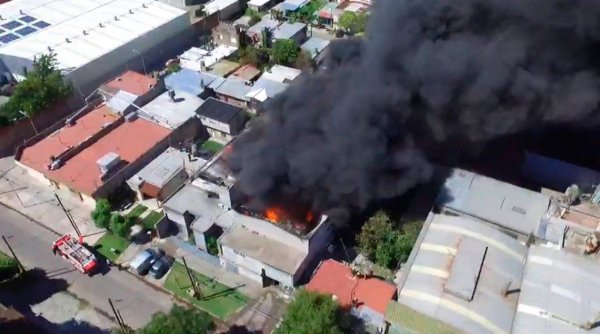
x: 364, y: 296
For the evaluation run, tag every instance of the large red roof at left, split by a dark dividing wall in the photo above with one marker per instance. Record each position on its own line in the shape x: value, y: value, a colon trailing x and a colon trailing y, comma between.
x: 129, y: 140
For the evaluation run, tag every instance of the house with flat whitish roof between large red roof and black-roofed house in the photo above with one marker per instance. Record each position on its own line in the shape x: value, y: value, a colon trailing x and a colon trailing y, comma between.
x: 172, y: 109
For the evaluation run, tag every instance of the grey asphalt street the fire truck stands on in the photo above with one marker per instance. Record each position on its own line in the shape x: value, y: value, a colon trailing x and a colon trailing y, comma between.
x: 31, y: 243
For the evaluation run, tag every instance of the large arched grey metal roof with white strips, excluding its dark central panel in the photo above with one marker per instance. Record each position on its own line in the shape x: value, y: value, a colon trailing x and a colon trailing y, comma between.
x: 490, y: 310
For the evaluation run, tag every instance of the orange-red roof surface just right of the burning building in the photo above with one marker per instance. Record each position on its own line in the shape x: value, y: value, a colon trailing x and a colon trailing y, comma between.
x: 335, y: 278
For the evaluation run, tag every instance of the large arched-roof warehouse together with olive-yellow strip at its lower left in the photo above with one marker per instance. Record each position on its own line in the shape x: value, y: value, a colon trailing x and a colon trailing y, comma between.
x: 463, y: 276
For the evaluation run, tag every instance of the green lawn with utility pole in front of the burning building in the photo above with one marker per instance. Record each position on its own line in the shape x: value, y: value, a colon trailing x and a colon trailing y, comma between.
x: 217, y: 299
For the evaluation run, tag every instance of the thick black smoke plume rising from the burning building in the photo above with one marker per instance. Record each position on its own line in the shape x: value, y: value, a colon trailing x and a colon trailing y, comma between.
x: 432, y: 79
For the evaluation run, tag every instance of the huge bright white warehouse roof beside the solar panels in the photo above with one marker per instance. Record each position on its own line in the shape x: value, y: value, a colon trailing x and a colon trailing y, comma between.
x: 69, y: 19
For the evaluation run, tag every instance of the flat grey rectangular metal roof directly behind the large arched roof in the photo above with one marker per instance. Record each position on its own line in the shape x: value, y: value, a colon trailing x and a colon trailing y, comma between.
x: 500, y: 203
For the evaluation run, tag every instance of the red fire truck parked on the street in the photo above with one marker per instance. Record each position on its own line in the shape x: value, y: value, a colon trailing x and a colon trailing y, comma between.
x: 73, y: 251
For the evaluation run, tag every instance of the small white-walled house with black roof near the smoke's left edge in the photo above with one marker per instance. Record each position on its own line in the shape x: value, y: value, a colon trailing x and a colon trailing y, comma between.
x: 222, y: 120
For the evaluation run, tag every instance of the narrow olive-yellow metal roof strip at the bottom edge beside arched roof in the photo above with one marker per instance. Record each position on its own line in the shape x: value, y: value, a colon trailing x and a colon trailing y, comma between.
x: 416, y: 322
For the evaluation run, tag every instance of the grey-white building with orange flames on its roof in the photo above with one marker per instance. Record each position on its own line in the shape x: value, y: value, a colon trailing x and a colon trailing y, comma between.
x: 274, y: 246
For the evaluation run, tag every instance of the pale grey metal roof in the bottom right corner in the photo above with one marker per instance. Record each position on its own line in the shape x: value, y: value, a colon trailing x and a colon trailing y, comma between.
x: 559, y: 294
